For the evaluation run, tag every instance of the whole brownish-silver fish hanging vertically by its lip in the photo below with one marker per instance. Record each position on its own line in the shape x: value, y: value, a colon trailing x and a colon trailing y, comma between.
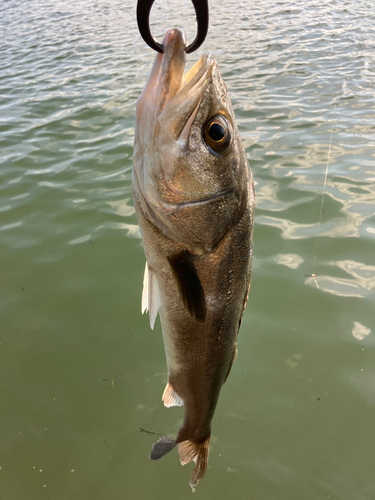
x: 194, y: 198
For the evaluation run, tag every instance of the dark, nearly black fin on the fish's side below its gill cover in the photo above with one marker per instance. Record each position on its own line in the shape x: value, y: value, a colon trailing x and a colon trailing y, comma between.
x: 189, y: 283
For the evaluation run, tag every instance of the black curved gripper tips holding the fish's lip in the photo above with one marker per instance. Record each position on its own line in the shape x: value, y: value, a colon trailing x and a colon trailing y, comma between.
x: 143, y: 19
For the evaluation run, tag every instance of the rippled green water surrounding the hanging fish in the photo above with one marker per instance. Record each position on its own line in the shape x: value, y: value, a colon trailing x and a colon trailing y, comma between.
x: 80, y: 370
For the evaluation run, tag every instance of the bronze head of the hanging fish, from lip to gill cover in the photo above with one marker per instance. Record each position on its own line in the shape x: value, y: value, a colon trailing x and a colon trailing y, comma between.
x: 188, y: 154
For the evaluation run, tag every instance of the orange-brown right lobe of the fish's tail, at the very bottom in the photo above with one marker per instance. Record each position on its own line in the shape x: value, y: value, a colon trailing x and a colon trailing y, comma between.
x: 197, y: 452
